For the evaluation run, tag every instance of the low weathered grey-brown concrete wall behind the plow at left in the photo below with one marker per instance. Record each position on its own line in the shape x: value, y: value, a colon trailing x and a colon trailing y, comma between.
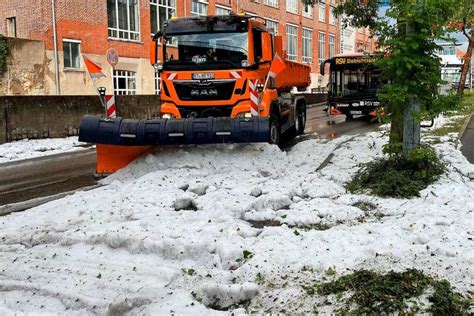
x: 59, y: 116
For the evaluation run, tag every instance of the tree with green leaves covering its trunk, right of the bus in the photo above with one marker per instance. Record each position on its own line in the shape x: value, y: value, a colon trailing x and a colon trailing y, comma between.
x: 407, y: 33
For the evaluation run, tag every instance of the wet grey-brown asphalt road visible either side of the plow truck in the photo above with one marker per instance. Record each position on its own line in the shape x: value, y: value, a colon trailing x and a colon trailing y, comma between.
x: 45, y: 176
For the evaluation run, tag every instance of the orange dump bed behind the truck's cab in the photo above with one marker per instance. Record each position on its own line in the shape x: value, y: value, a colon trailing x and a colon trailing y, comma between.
x: 294, y: 75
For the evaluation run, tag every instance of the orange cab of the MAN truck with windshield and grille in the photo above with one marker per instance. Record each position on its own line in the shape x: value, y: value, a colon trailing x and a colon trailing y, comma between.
x: 211, y: 67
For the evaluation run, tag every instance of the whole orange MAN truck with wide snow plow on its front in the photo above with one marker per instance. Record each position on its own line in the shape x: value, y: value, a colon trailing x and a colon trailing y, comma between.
x: 216, y: 87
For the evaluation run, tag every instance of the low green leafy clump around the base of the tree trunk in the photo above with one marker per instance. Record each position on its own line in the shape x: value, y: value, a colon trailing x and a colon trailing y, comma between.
x: 400, y: 176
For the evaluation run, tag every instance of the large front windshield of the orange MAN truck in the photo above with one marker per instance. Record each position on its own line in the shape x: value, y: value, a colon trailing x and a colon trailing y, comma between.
x: 206, y: 51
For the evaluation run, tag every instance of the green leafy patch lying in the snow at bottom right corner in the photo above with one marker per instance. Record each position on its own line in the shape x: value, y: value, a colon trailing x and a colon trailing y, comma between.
x: 373, y: 293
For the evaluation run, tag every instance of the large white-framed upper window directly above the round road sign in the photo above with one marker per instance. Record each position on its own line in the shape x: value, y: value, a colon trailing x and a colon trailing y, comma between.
x: 123, y: 19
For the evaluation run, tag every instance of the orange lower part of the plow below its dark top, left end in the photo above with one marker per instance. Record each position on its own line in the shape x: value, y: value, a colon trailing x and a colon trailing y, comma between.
x: 111, y: 158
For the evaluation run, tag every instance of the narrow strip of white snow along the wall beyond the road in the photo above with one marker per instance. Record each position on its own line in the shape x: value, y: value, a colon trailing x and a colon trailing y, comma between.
x: 32, y: 148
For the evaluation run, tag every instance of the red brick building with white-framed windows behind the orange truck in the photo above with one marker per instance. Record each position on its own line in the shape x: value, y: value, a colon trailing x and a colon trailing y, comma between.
x: 91, y: 27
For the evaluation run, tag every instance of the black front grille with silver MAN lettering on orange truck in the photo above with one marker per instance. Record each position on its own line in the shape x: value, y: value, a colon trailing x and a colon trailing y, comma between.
x: 214, y: 90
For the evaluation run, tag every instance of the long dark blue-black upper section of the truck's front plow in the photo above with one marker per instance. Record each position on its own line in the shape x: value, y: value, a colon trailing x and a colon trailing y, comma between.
x: 128, y: 132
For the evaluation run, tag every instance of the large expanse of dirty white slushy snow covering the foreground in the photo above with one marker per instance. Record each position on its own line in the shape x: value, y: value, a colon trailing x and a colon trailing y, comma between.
x: 203, y: 229
